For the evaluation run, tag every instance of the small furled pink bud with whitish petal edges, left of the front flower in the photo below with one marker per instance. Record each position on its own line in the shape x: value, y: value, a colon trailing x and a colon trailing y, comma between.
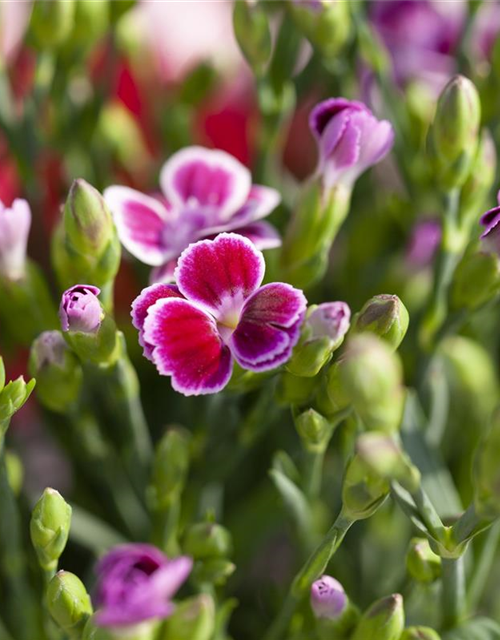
x: 80, y: 310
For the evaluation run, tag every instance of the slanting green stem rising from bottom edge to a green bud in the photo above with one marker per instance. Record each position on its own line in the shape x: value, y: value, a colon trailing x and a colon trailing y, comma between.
x: 311, y: 571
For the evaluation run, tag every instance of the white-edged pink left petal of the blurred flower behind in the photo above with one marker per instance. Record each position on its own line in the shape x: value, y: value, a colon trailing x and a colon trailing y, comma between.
x: 140, y: 221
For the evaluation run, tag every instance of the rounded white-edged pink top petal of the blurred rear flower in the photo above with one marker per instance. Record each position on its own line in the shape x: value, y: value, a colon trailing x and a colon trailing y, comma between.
x: 196, y: 176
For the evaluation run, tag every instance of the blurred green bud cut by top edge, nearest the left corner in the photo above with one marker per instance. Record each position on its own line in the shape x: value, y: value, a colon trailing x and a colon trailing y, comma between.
x: 52, y: 22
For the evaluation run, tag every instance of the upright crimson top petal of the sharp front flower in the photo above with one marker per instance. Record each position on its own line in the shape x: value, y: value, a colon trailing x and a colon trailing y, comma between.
x: 220, y: 274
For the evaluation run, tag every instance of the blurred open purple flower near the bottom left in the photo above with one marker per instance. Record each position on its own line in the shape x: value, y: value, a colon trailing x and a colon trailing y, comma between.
x: 135, y: 582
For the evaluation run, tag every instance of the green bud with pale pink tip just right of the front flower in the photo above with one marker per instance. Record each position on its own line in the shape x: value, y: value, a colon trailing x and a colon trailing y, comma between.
x: 322, y: 333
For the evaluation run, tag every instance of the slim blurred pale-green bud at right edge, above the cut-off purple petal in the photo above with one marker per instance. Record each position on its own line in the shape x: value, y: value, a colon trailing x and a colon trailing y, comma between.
x: 478, y: 185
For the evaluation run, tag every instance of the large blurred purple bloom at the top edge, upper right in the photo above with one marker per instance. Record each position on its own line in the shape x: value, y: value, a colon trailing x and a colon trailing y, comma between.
x: 421, y: 35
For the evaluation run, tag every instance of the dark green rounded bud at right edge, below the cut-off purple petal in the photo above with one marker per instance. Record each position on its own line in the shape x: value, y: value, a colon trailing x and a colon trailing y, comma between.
x: 476, y: 281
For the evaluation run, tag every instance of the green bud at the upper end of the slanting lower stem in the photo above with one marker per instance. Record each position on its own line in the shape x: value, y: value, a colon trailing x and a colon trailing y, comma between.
x: 363, y: 491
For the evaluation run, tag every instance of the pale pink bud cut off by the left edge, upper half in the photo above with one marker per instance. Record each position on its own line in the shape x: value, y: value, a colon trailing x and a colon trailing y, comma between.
x: 15, y: 223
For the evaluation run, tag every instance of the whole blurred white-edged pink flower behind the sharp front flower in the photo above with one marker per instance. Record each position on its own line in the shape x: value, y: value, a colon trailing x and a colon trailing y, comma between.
x: 204, y: 192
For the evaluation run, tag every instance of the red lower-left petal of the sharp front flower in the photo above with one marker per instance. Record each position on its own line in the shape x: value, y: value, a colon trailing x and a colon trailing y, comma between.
x: 188, y: 347
